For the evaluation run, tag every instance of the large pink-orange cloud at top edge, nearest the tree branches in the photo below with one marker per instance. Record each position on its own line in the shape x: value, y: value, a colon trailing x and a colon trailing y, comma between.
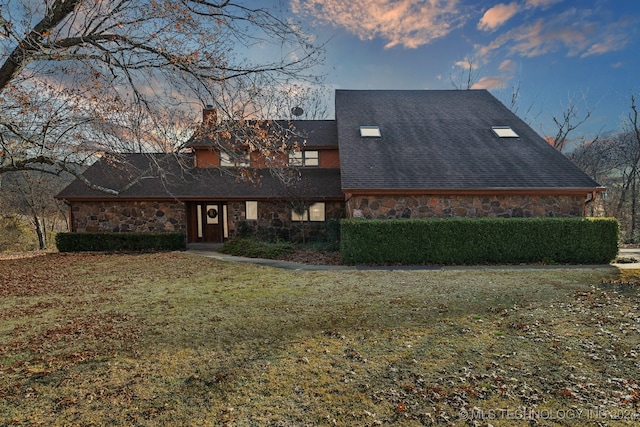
x: 407, y: 23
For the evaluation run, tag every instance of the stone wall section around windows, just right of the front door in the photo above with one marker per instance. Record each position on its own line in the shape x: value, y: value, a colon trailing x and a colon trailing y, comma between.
x: 274, y: 221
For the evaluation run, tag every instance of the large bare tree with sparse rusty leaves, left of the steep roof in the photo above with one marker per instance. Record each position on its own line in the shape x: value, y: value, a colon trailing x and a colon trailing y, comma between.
x: 74, y: 74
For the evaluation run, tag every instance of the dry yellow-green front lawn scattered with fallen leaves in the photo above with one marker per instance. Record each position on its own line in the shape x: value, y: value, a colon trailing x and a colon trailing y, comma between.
x: 174, y: 339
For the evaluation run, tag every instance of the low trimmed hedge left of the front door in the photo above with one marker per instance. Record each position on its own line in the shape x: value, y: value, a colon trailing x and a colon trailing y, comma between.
x: 113, y: 242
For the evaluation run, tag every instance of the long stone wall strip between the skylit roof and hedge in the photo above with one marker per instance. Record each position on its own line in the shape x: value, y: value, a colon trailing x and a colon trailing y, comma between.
x: 442, y: 206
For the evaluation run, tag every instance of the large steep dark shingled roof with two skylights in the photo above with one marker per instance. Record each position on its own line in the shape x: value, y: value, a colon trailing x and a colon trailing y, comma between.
x: 435, y: 139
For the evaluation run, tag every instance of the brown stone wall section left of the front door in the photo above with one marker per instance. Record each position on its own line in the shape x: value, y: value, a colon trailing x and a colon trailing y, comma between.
x: 124, y: 216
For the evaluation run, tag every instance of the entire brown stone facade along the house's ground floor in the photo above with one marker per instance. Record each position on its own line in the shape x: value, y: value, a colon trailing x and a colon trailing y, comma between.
x: 274, y: 217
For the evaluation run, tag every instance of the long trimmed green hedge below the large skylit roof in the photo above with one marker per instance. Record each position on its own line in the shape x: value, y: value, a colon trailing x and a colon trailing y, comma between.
x: 479, y: 241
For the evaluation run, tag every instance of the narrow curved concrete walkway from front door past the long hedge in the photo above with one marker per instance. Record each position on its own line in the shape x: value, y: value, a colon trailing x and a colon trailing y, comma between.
x: 210, y: 251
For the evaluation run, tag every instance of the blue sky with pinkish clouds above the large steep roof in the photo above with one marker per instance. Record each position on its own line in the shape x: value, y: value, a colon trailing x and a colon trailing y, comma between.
x: 557, y: 52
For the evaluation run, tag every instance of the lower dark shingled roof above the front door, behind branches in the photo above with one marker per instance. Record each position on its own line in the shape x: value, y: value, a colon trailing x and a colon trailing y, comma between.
x: 172, y: 180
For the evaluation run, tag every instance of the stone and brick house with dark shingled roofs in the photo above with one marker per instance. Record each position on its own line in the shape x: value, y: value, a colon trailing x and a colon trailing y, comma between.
x: 387, y: 154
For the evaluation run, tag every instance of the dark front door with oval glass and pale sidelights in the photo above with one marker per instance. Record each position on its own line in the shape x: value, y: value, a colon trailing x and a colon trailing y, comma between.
x: 206, y: 222
